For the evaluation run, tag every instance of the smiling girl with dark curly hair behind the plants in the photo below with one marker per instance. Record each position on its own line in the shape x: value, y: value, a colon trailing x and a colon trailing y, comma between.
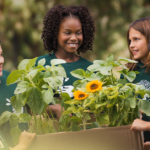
x: 67, y: 31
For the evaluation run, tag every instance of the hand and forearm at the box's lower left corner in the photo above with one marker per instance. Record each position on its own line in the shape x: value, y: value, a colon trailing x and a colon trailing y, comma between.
x: 25, y: 140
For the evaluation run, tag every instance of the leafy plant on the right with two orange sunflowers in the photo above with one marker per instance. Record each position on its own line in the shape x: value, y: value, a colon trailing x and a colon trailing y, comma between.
x: 113, y: 101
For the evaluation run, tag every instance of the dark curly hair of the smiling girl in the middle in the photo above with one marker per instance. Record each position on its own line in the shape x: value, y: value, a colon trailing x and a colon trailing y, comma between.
x: 52, y: 22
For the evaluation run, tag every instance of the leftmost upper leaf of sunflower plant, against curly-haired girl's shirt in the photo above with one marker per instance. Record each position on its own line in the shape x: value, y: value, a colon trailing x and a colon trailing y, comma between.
x: 78, y: 73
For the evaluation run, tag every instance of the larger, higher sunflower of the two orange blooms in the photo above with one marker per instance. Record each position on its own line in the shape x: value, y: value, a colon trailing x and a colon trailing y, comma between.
x: 94, y: 86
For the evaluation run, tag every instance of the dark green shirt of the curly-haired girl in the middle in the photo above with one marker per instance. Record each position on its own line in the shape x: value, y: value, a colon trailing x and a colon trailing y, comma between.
x: 81, y: 63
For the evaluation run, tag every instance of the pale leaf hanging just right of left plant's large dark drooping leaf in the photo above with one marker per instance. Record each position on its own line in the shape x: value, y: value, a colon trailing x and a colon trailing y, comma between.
x: 48, y: 95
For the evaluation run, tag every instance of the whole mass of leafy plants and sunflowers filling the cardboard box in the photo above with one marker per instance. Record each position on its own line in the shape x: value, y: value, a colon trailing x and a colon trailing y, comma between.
x: 113, y: 101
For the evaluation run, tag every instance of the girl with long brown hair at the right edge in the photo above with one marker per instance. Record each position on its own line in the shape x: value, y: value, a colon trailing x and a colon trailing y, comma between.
x: 138, y: 38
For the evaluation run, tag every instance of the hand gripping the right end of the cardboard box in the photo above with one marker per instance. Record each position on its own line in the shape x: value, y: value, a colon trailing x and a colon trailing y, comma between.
x: 140, y: 125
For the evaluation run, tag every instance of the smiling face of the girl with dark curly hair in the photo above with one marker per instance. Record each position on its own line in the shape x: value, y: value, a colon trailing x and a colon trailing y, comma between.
x: 70, y: 35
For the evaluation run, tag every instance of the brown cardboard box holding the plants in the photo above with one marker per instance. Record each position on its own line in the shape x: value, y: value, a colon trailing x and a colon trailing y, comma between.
x: 109, y: 138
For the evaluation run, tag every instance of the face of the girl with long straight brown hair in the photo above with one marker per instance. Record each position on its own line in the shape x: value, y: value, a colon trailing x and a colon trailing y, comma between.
x: 138, y: 45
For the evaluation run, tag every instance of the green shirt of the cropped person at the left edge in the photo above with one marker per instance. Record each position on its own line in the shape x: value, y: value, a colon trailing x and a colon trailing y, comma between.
x: 6, y: 92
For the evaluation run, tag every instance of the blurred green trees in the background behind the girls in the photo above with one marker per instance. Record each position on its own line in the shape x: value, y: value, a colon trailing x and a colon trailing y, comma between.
x: 21, y: 23
